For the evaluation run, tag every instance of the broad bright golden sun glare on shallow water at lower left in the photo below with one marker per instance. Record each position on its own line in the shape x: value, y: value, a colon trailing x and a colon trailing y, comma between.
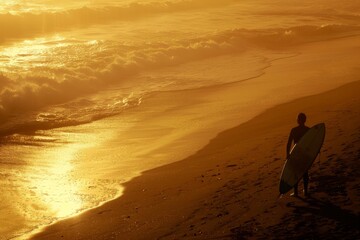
x: 58, y: 178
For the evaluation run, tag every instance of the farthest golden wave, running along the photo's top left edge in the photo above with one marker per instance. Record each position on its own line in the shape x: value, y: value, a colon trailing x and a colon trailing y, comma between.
x: 25, y: 24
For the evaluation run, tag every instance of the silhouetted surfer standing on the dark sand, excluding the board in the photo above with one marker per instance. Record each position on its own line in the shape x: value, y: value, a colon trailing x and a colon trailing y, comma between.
x: 295, y: 135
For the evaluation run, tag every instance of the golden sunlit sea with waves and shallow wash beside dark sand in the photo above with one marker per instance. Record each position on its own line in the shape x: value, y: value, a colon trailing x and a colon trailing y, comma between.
x: 78, y: 116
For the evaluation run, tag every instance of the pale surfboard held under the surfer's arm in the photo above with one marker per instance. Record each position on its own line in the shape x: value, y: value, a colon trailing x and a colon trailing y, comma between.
x: 301, y: 157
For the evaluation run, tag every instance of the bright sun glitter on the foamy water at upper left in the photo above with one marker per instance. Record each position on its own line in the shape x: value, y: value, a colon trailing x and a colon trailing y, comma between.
x: 48, y: 56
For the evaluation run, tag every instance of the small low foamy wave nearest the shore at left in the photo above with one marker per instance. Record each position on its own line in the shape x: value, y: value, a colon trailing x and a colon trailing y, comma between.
x: 73, y: 113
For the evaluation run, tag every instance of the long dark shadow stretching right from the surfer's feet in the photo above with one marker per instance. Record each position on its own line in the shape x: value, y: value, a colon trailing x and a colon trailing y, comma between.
x: 327, y: 210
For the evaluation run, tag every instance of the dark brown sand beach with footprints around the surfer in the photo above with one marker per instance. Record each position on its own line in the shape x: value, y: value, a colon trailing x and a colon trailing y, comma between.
x: 229, y: 188
